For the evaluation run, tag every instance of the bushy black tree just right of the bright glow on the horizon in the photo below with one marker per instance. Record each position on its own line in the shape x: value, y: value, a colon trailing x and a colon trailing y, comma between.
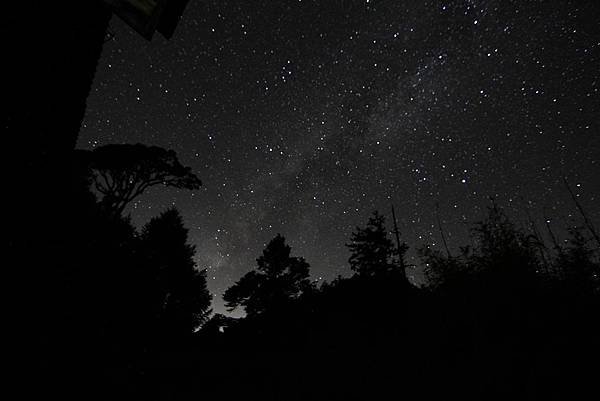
x: 277, y: 279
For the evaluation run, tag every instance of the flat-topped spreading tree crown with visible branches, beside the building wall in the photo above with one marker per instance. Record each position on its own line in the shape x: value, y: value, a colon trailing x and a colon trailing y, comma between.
x: 122, y: 172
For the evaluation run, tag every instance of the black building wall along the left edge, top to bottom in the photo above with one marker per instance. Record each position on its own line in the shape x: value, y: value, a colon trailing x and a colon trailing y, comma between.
x: 51, y: 52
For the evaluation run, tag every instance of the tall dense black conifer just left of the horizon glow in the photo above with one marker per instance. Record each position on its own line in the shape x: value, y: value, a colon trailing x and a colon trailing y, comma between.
x: 181, y: 298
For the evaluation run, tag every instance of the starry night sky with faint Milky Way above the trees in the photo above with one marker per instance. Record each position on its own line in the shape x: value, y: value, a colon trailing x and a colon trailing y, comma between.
x: 302, y: 117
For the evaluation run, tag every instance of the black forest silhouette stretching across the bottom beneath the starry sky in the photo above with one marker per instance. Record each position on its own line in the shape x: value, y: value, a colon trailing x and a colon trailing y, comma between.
x: 507, y: 317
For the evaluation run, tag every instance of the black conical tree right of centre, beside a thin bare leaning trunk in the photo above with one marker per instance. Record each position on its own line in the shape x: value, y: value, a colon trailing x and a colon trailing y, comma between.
x: 372, y: 251
